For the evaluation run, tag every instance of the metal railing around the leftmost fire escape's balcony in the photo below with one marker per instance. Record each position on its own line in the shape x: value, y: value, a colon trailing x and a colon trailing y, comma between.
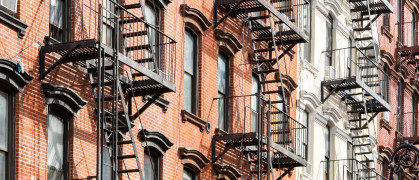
x: 128, y: 30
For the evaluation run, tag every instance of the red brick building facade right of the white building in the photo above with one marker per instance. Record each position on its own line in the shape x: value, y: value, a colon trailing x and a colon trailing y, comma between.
x: 398, y: 38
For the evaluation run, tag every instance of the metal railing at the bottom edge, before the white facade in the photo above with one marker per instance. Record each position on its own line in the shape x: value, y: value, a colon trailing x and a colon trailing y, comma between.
x: 348, y: 169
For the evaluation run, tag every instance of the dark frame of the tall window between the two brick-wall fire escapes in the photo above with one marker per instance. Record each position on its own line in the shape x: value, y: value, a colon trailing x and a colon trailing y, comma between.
x: 195, y: 76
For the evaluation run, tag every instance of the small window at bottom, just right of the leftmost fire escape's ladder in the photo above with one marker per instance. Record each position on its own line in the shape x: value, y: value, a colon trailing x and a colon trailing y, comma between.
x: 151, y: 166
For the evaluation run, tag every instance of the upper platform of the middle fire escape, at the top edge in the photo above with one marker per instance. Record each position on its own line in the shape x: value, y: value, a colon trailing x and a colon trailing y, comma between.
x: 241, y: 8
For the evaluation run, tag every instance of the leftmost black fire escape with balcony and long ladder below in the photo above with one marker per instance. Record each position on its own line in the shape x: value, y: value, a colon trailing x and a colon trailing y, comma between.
x: 124, y: 57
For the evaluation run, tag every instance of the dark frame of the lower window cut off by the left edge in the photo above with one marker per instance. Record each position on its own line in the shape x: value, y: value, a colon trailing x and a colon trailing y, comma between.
x: 11, y: 151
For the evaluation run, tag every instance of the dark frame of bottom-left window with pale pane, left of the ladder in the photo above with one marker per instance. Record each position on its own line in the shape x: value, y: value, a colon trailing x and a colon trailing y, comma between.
x: 66, y: 138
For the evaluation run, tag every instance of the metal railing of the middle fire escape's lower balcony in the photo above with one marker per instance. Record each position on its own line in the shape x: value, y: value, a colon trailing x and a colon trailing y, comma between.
x: 255, y: 114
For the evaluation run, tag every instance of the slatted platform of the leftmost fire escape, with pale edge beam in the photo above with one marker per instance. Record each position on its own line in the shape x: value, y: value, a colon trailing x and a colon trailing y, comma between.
x: 80, y: 51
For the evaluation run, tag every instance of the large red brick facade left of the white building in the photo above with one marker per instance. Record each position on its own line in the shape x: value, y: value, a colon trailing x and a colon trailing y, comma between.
x: 180, y: 139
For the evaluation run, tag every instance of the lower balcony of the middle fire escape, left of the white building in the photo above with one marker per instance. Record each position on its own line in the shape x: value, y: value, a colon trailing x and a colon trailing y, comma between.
x: 279, y: 135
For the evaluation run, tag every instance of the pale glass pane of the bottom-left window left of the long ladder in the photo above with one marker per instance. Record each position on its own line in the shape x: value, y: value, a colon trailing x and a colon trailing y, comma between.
x: 55, y: 147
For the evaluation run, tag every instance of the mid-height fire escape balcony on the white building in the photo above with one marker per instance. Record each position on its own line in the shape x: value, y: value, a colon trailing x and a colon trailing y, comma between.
x: 357, y: 73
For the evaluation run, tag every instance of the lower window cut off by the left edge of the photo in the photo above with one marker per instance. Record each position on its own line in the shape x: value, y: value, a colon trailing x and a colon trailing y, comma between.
x: 6, y: 136
